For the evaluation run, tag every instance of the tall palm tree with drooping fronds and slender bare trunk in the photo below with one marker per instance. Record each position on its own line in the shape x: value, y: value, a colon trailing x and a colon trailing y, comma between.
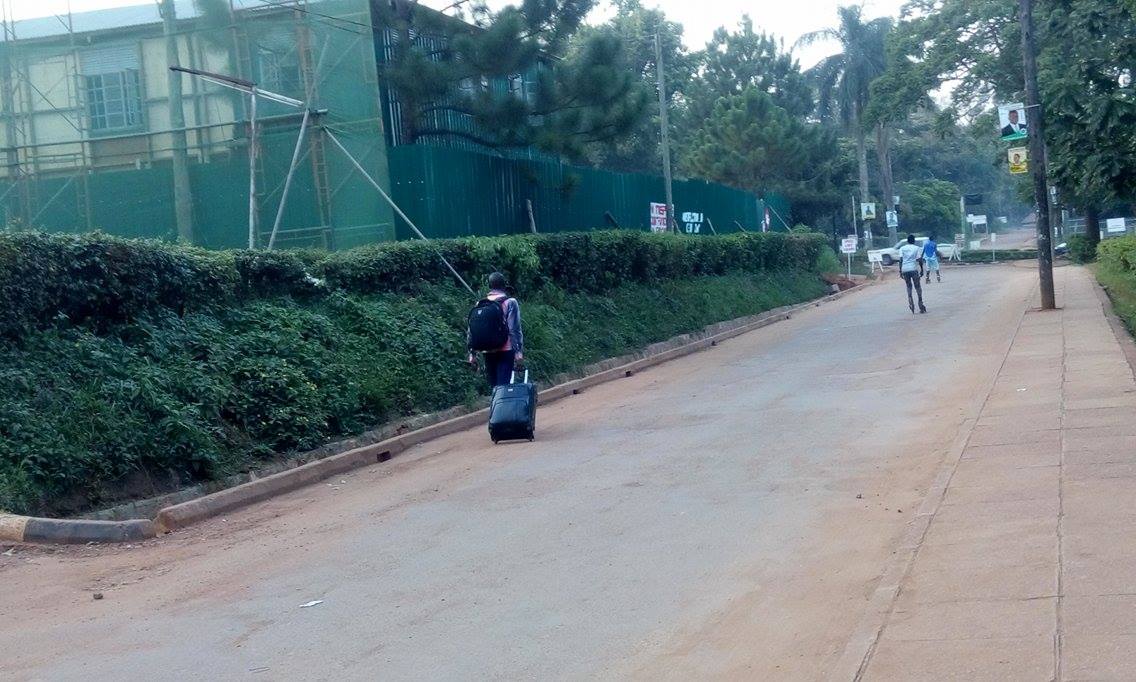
x: 843, y: 82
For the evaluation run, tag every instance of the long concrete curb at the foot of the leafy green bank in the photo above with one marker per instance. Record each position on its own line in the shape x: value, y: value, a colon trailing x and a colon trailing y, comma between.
x: 23, y: 529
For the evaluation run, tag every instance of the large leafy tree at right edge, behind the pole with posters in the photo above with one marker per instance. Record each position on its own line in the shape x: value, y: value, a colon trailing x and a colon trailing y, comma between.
x: 1087, y: 66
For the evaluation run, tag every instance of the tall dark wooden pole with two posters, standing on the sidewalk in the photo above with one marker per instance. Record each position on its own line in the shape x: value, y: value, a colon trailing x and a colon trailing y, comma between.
x: 1034, y: 117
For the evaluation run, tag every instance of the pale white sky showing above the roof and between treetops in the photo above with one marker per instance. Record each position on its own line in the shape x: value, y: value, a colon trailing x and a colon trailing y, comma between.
x: 787, y: 19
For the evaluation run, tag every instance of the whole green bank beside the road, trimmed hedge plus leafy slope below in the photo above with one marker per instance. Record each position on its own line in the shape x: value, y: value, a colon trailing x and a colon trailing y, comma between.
x: 136, y: 368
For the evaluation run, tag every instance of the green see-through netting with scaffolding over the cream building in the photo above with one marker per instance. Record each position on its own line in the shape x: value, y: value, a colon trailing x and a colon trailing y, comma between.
x: 89, y: 142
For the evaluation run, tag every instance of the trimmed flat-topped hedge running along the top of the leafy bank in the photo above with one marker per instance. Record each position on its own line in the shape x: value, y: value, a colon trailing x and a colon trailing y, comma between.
x: 102, y: 281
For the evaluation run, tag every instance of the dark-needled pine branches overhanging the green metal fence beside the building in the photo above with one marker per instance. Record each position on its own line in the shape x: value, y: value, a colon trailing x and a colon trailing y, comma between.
x: 508, y: 79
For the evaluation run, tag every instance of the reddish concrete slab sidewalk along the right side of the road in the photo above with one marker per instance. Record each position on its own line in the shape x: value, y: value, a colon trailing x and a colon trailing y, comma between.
x: 1026, y: 564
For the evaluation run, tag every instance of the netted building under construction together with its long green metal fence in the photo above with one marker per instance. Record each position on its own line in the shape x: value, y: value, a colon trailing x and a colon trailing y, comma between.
x: 98, y: 134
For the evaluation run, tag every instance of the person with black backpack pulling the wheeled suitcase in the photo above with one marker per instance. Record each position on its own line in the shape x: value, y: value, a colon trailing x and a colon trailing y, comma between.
x: 495, y: 331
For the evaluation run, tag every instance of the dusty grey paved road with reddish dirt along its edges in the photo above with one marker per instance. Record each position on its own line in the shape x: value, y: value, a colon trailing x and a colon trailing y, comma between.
x: 726, y: 515
